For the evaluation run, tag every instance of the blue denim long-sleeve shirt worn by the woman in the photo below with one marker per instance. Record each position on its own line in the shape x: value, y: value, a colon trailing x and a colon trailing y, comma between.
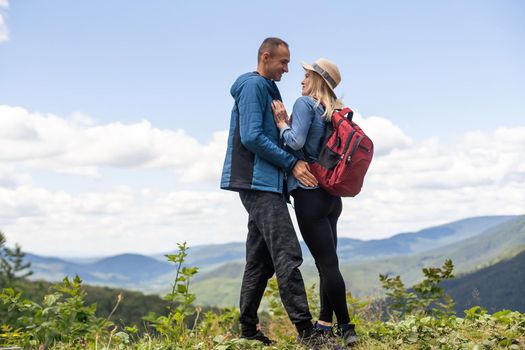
x: 304, y: 136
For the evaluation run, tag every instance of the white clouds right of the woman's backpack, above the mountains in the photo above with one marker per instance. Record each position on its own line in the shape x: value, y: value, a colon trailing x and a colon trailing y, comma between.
x: 430, y: 183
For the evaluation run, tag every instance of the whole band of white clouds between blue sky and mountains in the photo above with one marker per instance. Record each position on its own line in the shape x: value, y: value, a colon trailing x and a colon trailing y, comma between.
x: 411, y: 185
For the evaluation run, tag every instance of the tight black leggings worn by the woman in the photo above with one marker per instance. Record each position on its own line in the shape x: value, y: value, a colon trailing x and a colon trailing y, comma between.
x: 317, y: 213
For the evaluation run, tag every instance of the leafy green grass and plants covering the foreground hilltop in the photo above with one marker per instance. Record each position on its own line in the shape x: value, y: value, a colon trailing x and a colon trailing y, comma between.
x: 420, y: 317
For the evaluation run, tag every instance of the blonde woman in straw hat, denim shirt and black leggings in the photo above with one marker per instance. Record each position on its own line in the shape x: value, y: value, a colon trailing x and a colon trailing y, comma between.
x: 317, y: 211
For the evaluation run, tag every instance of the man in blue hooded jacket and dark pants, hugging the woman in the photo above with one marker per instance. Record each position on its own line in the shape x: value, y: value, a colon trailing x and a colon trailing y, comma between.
x: 256, y: 167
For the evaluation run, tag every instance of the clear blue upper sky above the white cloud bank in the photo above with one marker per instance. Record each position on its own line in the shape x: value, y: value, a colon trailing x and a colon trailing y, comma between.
x: 417, y: 62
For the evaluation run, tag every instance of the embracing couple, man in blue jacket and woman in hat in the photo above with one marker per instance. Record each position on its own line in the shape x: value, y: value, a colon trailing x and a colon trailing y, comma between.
x: 268, y: 155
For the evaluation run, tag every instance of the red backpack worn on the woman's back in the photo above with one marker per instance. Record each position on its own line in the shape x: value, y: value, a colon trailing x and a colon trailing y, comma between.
x: 345, y: 156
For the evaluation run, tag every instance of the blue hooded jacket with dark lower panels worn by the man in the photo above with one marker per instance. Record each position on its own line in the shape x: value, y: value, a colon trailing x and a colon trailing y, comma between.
x: 254, y: 159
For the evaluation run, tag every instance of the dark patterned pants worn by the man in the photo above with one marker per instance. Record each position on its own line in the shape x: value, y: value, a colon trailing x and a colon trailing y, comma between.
x: 271, y: 246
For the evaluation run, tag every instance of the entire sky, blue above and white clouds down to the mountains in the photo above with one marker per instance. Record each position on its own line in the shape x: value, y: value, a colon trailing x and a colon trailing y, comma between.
x: 114, y: 114
